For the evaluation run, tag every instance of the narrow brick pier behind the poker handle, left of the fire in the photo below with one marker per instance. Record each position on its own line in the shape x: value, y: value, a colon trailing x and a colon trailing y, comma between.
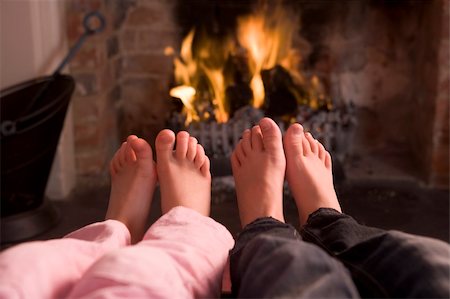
x: 96, y: 69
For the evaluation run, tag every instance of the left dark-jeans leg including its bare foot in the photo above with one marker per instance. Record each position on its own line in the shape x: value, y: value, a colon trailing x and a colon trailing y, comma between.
x: 269, y: 258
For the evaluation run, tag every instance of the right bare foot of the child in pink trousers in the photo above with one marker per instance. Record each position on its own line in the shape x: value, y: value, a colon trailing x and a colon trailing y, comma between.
x: 184, y: 176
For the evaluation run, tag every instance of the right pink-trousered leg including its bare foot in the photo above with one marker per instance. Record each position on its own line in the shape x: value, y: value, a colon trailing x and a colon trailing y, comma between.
x: 184, y: 253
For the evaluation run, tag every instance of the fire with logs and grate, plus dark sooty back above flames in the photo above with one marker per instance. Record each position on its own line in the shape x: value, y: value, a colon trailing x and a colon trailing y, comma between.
x: 240, y: 61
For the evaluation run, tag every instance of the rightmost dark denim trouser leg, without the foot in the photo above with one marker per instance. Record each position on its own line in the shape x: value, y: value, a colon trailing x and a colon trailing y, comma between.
x: 383, y: 263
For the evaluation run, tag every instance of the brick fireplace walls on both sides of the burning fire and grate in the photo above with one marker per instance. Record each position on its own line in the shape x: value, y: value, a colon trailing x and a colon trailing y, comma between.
x: 384, y: 64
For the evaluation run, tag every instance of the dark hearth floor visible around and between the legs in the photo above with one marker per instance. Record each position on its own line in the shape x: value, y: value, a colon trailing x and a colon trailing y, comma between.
x: 410, y: 209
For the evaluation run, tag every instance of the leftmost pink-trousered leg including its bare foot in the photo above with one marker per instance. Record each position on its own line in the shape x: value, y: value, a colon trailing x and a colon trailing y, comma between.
x: 50, y: 269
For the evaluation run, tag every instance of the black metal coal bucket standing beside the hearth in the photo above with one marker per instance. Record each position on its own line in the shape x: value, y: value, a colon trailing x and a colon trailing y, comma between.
x: 29, y: 141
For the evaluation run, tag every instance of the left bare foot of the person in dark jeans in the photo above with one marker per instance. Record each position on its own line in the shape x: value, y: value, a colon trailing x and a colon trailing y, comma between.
x: 259, y: 165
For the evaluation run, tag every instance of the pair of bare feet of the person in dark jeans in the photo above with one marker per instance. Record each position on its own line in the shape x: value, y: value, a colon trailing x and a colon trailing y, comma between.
x: 260, y: 163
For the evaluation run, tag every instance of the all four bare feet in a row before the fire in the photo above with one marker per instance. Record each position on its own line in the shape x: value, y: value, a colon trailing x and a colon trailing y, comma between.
x: 259, y: 165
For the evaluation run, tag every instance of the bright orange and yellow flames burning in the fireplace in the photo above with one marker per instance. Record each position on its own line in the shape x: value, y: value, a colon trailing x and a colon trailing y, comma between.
x: 263, y: 39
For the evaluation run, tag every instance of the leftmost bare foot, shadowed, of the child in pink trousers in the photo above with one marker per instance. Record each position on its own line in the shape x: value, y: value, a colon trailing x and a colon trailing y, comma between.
x: 133, y: 180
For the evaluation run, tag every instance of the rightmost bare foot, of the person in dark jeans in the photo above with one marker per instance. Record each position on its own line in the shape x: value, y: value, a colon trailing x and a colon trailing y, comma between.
x: 308, y: 173
